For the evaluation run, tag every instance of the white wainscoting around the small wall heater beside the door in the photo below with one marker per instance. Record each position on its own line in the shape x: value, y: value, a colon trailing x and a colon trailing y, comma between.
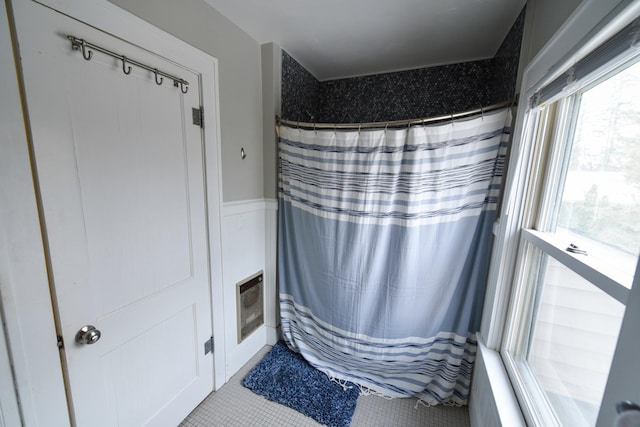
x: 248, y: 246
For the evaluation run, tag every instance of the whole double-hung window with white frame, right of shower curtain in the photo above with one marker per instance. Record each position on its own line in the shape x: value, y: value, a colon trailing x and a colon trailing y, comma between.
x: 578, y: 247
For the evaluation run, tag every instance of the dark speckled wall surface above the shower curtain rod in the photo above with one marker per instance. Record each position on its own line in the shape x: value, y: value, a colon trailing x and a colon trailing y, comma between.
x: 423, y: 92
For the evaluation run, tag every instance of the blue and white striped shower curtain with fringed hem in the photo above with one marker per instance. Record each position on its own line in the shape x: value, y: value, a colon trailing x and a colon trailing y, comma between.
x: 383, y: 244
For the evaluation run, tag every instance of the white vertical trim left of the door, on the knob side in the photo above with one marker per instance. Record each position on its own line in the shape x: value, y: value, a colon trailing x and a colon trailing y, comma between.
x: 24, y: 287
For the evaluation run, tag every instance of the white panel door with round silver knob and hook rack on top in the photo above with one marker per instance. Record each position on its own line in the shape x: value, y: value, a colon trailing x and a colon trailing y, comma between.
x: 121, y: 179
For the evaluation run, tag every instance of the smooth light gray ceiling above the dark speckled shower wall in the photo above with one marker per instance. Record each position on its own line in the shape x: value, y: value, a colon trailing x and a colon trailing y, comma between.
x: 345, y: 38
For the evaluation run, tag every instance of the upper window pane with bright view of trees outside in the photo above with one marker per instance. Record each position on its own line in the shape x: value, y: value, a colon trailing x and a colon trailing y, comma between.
x: 601, y: 198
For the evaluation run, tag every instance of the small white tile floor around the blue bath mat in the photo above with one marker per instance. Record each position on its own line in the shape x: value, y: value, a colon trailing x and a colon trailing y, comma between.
x: 235, y: 405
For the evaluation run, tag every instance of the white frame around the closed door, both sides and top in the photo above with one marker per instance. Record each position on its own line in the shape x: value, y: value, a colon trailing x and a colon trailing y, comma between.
x: 25, y: 296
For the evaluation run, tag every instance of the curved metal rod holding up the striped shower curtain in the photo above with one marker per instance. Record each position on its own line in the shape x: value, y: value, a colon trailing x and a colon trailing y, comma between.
x: 396, y: 123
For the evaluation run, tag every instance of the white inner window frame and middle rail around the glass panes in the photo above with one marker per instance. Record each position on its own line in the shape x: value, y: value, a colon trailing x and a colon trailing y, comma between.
x: 551, y: 138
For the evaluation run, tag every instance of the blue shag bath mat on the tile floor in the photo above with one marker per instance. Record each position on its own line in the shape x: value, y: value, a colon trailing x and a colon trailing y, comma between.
x: 284, y: 376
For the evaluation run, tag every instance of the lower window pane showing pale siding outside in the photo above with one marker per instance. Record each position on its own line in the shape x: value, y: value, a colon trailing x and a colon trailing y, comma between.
x: 574, y: 333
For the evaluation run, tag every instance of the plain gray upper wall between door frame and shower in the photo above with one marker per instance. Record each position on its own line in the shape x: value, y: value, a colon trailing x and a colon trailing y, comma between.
x: 239, y: 61
